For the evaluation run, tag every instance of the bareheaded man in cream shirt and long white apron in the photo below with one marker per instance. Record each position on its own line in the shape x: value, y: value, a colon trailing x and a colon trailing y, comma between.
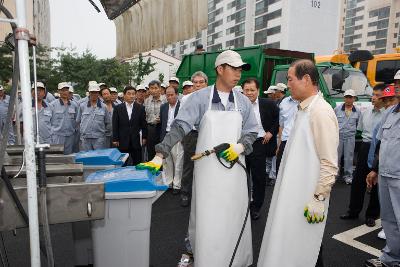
x: 296, y: 219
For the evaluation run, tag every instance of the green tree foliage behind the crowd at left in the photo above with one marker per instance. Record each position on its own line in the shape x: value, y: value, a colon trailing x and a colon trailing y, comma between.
x: 56, y: 65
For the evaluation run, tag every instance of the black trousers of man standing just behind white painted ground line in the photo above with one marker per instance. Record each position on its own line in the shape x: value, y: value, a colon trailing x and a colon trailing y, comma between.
x: 359, y: 186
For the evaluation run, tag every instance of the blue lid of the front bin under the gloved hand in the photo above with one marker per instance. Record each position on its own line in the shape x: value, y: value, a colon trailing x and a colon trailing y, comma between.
x: 127, y: 179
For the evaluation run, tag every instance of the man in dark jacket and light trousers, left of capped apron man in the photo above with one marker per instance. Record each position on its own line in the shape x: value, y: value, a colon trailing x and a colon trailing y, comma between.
x: 173, y: 164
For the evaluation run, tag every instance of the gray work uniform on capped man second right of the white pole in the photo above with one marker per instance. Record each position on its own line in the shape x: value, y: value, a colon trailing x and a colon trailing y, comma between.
x: 63, y: 124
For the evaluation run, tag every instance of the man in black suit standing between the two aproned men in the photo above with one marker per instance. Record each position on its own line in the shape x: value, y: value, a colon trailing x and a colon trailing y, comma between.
x: 267, y: 115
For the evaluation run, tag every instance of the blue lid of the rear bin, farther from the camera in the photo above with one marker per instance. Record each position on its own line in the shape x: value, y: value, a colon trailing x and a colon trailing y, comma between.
x: 110, y: 156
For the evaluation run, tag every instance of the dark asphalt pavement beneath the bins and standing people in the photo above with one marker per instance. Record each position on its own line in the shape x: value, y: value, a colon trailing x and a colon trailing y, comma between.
x: 169, y: 224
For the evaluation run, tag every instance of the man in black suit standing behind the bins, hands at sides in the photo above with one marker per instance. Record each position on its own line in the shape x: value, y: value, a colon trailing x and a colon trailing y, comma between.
x: 129, y: 118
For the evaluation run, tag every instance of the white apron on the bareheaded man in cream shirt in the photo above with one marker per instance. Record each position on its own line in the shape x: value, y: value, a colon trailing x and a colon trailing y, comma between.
x: 289, y: 240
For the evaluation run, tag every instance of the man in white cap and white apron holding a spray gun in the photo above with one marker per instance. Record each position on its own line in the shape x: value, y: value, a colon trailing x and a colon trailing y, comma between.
x: 219, y: 198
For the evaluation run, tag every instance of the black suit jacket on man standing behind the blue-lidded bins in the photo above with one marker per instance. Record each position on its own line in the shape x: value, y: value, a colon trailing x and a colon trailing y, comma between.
x: 125, y: 130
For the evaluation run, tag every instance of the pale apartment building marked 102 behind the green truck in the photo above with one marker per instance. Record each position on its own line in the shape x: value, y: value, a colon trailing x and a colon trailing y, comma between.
x: 310, y: 26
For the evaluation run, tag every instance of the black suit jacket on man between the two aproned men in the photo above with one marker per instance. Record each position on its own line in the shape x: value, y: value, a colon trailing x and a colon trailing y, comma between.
x: 269, y: 114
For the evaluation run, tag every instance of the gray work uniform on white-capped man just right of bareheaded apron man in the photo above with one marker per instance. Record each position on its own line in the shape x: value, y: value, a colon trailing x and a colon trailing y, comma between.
x: 347, y: 138
